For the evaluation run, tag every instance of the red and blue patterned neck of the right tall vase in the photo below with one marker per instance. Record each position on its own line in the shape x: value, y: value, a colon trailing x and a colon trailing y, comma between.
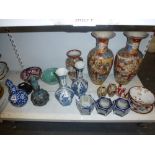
x: 133, y: 44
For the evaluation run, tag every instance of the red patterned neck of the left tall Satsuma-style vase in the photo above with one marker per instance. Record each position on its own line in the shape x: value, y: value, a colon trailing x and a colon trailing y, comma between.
x: 102, y: 44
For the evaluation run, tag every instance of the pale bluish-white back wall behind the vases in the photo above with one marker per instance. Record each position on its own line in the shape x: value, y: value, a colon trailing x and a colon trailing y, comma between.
x: 48, y: 49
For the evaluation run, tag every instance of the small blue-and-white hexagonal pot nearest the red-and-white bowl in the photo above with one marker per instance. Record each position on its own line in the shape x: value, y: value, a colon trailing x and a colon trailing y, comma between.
x: 121, y: 107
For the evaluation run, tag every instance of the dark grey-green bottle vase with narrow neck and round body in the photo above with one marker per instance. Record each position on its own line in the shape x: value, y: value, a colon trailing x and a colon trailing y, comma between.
x: 39, y: 97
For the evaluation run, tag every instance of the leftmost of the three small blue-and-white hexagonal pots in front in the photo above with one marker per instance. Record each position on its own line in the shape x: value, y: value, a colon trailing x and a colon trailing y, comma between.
x: 85, y: 104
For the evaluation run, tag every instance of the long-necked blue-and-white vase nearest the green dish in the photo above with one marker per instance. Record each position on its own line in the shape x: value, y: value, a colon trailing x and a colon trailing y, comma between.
x: 64, y: 93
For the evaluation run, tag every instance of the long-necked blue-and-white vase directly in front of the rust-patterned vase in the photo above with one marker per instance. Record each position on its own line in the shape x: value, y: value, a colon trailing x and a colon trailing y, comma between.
x: 80, y: 85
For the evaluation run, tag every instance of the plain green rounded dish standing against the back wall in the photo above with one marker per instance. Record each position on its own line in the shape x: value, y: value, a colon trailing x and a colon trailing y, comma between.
x: 49, y: 76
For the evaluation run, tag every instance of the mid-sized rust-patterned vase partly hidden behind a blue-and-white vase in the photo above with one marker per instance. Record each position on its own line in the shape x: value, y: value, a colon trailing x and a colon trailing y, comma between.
x: 73, y: 57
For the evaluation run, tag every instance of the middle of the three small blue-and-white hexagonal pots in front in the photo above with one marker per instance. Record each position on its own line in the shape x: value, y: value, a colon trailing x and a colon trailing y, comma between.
x: 104, y: 106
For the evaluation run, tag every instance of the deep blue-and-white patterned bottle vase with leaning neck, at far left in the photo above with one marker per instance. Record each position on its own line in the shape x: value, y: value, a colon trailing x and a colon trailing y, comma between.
x: 17, y: 96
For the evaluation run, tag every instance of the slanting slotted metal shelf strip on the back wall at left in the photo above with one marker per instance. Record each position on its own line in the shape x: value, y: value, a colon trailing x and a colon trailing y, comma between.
x: 16, y: 51
